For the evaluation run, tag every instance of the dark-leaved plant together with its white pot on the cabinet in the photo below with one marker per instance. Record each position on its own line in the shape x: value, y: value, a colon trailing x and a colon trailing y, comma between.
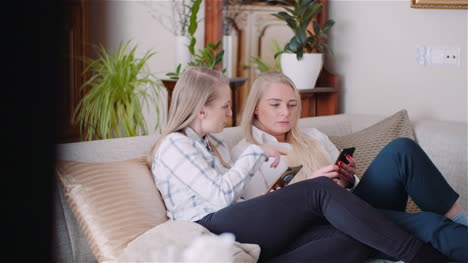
x: 302, y: 56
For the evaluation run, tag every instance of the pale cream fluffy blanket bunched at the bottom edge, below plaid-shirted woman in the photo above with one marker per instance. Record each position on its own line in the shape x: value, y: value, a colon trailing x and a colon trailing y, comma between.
x: 183, y: 241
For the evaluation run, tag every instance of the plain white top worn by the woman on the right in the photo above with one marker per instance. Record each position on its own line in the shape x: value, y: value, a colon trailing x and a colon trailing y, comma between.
x: 264, y: 177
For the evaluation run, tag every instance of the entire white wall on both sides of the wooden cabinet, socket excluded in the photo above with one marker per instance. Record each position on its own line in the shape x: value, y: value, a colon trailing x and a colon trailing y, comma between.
x: 374, y: 44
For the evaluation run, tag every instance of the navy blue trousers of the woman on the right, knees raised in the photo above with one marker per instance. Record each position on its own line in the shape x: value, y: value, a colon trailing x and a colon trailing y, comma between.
x: 402, y: 168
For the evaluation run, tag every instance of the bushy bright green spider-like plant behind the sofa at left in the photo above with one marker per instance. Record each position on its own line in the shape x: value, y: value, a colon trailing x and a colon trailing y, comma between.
x: 118, y: 88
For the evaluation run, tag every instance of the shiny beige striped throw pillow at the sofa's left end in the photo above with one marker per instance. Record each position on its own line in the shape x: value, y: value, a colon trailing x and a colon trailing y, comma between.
x: 114, y: 202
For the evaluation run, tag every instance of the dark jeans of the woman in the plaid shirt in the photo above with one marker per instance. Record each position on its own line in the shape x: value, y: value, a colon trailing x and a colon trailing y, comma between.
x: 286, y: 225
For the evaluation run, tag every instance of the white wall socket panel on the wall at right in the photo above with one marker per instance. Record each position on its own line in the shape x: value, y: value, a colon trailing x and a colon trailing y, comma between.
x: 430, y: 55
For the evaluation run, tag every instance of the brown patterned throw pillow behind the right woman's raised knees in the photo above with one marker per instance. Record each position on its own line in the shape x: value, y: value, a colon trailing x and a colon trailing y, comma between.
x: 370, y: 141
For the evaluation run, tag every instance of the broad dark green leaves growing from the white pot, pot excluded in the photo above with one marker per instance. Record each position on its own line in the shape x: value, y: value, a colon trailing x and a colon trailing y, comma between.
x: 298, y: 18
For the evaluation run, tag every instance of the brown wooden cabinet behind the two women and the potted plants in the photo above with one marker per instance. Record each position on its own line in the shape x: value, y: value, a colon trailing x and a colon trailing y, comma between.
x: 251, y: 24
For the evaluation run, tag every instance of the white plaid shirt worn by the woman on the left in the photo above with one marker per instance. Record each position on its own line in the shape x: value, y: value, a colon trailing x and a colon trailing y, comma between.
x: 192, y: 180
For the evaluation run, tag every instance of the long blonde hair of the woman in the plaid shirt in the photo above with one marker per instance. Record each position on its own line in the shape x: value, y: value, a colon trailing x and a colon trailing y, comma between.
x: 194, y: 89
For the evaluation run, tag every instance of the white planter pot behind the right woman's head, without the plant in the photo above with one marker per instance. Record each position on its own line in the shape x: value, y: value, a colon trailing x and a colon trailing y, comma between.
x: 303, y: 73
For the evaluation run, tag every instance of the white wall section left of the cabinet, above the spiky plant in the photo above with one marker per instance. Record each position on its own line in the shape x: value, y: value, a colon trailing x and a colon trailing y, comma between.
x: 112, y: 21
